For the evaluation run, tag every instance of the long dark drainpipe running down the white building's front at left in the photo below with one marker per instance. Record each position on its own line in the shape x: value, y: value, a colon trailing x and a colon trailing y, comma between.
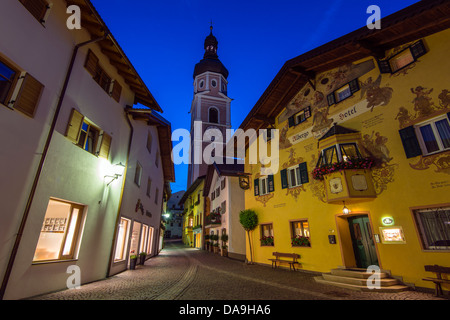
x: 41, y: 165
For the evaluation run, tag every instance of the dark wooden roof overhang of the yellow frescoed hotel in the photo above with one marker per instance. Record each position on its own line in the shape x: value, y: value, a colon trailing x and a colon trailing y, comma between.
x: 396, y: 29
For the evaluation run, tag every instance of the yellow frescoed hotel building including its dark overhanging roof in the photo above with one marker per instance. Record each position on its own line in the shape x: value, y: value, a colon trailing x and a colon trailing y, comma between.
x: 364, y: 153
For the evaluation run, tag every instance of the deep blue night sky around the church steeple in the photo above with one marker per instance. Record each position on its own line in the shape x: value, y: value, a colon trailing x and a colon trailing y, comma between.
x: 164, y: 40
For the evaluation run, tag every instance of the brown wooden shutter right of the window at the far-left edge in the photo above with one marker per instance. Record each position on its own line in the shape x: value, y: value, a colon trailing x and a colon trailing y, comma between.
x: 29, y: 95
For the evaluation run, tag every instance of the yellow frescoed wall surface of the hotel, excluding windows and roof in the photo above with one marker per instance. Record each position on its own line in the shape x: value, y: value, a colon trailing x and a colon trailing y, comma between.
x: 383, y: 105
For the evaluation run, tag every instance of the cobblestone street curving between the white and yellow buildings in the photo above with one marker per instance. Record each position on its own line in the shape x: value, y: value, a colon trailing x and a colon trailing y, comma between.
x: 181, y: 273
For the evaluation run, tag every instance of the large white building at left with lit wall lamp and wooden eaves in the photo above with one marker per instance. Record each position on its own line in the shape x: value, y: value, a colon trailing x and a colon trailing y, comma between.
x: 66, y: 141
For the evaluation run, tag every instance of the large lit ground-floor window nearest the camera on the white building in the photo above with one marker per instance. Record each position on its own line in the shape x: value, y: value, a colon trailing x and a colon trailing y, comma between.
x: 60, y: 233
